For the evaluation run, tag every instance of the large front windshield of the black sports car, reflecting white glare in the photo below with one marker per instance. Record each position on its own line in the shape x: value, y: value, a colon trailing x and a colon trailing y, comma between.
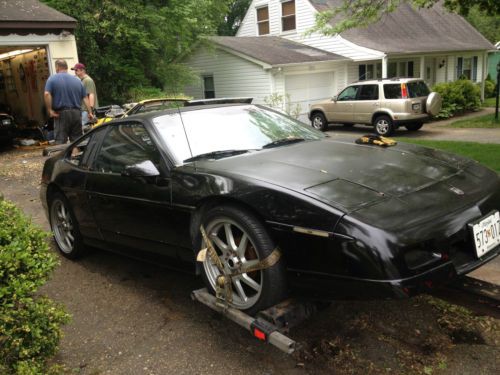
x: 234, y: 128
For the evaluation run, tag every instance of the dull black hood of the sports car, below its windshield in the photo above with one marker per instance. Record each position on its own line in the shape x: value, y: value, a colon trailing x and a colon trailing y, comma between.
x: 348, y: 176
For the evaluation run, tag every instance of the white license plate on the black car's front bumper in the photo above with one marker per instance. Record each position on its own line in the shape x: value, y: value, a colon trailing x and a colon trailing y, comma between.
x: 486, y: 233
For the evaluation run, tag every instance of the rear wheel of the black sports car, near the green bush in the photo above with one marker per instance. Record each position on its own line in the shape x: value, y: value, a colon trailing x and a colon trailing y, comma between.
x: 65, y: 227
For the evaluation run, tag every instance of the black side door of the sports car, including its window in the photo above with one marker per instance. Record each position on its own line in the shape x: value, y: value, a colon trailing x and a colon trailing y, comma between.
x: 131, y: 212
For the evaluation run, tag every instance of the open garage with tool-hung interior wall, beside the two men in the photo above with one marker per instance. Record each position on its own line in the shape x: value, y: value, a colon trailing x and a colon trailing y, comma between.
x: 32, y: 37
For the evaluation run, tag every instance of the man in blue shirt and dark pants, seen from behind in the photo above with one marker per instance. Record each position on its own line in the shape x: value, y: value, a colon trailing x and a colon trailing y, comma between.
x: 63, y: 96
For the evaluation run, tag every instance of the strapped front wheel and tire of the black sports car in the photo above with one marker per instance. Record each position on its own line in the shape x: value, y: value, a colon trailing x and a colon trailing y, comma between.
x: 240, y: 238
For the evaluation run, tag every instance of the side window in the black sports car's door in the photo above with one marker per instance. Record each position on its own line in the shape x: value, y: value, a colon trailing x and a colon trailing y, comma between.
x: 125, y: 145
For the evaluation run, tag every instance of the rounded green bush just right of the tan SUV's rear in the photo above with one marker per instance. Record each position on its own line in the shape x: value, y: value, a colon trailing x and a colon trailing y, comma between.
x: 458, y: 97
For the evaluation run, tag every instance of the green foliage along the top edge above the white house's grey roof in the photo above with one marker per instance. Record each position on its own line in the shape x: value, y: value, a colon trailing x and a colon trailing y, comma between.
x: 359, y: 13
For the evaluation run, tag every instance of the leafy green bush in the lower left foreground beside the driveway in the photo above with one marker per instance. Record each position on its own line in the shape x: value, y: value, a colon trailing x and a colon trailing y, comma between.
x: 29, y: 324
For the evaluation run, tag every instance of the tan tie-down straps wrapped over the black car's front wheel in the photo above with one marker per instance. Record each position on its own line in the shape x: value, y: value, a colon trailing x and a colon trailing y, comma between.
x: 223, y: 288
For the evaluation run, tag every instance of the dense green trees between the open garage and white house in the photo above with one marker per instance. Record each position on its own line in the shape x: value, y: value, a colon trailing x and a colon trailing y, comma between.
x: 130, y: 44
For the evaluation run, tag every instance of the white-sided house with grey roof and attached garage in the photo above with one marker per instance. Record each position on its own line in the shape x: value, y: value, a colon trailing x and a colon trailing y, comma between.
x: 430, y: 43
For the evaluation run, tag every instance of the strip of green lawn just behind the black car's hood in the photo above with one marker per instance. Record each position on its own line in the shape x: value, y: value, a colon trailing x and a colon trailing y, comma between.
x: 487, y: 154
